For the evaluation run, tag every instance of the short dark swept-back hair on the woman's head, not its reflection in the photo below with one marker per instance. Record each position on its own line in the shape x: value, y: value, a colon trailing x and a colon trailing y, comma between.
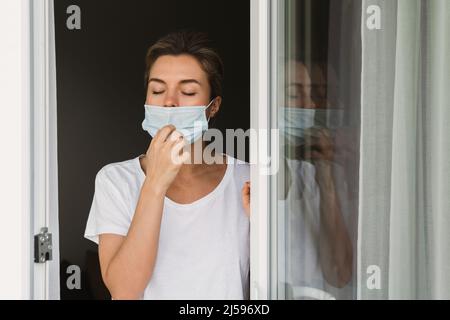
x: 195, y: 44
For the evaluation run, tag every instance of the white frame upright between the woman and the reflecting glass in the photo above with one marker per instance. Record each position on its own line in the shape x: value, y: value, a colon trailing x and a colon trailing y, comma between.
x: 260, y: 120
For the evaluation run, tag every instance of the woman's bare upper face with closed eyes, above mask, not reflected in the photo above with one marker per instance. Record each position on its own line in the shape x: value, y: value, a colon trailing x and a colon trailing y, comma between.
x: 178, y: 81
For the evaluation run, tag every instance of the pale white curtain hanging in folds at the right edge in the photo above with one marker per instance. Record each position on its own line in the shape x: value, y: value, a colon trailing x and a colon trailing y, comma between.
x: 404, y: 207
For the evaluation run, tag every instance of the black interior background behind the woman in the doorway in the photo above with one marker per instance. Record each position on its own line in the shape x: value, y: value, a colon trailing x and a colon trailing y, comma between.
x: 101, y: 94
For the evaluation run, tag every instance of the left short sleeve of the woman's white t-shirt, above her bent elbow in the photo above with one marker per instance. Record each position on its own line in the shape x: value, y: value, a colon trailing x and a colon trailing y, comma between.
x: 108, y: 213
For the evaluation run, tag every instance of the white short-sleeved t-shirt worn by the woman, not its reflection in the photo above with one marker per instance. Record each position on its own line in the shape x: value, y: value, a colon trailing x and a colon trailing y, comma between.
x: 204, y: 246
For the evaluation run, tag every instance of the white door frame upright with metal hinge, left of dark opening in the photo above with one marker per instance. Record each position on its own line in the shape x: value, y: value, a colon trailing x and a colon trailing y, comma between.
x: 44, y: 160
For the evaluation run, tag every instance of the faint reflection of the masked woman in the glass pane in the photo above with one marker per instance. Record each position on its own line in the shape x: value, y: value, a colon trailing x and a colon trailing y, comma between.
x: 319, y: 245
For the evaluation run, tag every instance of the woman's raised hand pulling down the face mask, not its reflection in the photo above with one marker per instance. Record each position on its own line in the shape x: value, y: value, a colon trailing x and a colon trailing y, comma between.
x: 164, y: 158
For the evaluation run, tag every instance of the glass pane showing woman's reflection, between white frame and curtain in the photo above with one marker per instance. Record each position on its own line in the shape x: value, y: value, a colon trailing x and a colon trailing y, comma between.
x: 318, y: 112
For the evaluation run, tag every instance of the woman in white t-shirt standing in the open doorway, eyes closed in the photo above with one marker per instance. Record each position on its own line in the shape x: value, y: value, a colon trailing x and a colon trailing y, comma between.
x: 167, y: 227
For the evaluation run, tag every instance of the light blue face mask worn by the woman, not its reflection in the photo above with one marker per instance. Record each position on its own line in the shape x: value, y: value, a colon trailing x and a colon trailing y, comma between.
x: 190, y: 121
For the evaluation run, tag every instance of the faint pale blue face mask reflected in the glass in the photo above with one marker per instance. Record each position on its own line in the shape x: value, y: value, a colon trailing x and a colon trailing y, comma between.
x: 293, y: 122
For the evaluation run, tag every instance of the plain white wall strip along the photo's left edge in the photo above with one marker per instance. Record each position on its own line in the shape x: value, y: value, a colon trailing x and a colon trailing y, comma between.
x: 15, y: 253
